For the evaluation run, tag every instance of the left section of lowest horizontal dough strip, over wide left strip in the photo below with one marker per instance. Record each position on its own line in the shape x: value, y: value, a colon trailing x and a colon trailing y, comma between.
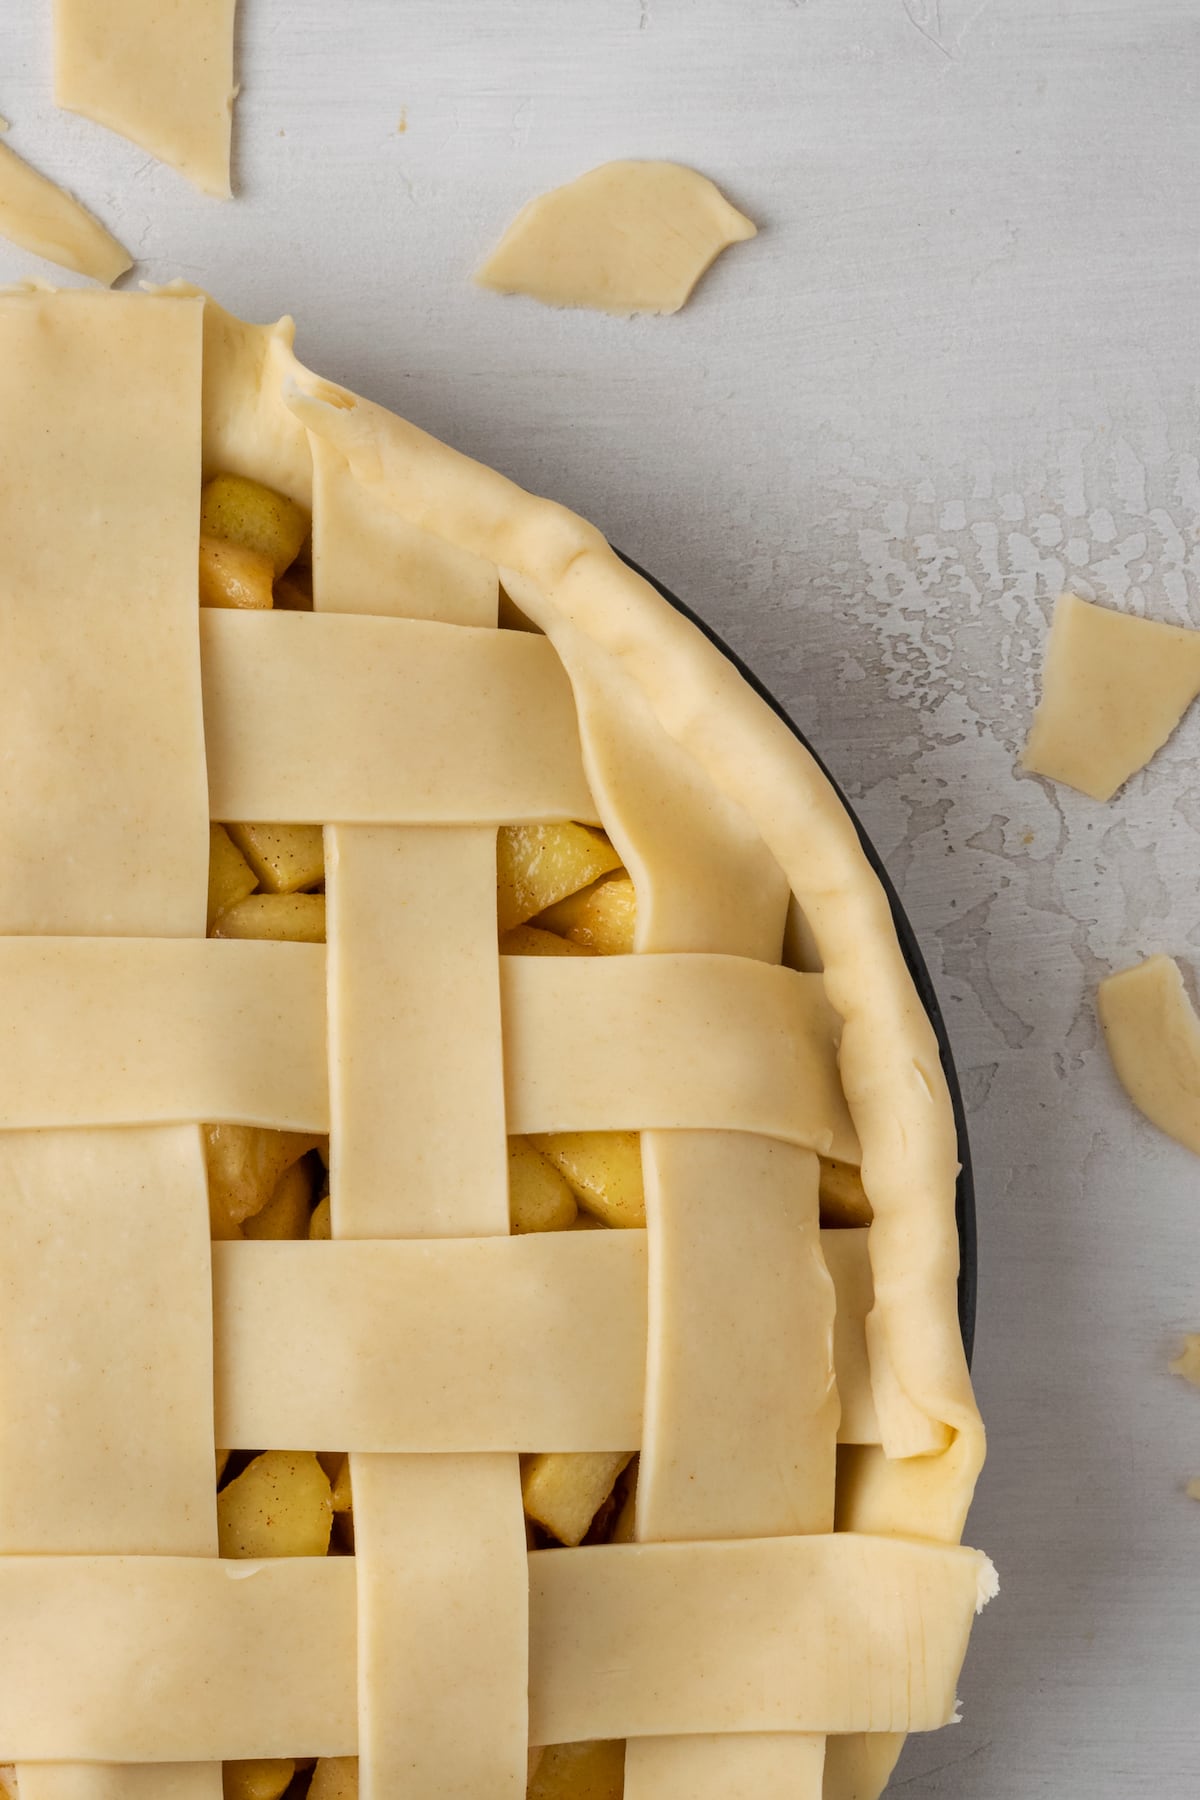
x: 177, y: 1659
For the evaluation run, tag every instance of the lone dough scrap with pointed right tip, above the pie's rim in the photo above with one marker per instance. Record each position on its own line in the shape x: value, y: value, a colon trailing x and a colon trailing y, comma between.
x: 625, y: 238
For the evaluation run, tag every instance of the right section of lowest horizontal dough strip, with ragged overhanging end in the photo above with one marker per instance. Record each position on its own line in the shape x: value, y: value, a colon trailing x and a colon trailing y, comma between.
x: 764, y: 1635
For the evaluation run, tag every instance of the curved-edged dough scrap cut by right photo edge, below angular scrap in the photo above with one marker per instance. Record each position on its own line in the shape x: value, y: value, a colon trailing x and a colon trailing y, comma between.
x: 1154, y: 1041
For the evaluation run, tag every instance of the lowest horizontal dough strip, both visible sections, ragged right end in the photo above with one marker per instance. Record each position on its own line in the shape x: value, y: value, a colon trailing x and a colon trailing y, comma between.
x: 190, y: 1659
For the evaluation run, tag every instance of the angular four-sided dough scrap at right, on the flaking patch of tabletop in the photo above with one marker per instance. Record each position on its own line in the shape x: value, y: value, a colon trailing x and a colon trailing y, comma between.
x: 1113, y: 692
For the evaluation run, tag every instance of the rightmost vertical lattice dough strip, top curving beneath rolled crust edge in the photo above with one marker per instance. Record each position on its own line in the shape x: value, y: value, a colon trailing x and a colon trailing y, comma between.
x: 735, y: 1441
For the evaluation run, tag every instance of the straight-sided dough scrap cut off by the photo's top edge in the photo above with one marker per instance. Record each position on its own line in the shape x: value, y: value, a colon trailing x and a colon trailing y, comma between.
x: 159, y: 75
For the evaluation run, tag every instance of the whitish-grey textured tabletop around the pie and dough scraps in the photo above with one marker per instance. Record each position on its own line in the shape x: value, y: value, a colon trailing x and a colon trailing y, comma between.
x: 956, y: 372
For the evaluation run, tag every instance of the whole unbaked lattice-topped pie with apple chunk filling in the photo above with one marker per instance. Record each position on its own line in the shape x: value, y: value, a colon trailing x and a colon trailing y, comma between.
x: 460, y: 1068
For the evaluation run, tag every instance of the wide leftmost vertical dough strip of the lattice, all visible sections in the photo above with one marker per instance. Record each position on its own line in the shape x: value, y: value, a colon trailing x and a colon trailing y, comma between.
x: 103, y: 1444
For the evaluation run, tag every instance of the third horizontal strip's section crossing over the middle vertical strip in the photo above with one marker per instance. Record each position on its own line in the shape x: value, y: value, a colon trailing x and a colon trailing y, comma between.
x: 541, y: 1340
